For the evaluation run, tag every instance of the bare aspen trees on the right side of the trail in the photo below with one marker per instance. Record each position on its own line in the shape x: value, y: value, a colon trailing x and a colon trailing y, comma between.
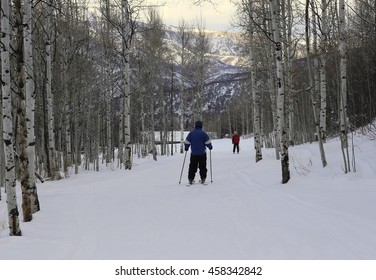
x: 307, y: 81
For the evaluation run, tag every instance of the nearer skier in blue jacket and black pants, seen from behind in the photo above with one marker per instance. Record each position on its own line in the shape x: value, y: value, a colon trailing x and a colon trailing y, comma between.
x: 198, y: 140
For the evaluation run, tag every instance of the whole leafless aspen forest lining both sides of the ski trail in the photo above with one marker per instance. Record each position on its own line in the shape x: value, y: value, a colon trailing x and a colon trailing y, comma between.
x: 83, y: 89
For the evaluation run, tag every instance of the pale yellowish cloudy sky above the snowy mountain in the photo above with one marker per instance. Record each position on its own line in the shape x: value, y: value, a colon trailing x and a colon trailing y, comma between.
x: 218, y: 17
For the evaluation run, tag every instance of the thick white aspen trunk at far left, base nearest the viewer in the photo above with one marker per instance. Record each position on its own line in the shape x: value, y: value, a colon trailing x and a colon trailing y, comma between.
x: 7, y: 119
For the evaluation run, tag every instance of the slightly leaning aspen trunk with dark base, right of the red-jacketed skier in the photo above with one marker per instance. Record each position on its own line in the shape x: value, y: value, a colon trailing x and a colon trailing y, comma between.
x: 274, y: 10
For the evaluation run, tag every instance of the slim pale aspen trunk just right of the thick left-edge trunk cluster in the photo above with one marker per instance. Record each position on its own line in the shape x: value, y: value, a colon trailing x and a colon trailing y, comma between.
x: 50, y: 117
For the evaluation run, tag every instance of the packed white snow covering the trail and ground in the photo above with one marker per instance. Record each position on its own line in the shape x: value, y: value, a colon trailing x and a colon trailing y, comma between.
x: 244, y: 213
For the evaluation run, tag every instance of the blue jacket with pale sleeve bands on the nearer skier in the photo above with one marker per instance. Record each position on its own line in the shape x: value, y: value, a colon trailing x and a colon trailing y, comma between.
x: 198, y: 140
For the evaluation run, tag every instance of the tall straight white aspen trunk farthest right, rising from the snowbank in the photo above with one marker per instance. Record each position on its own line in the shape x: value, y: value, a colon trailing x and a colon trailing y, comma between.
x: 343, y: 86
